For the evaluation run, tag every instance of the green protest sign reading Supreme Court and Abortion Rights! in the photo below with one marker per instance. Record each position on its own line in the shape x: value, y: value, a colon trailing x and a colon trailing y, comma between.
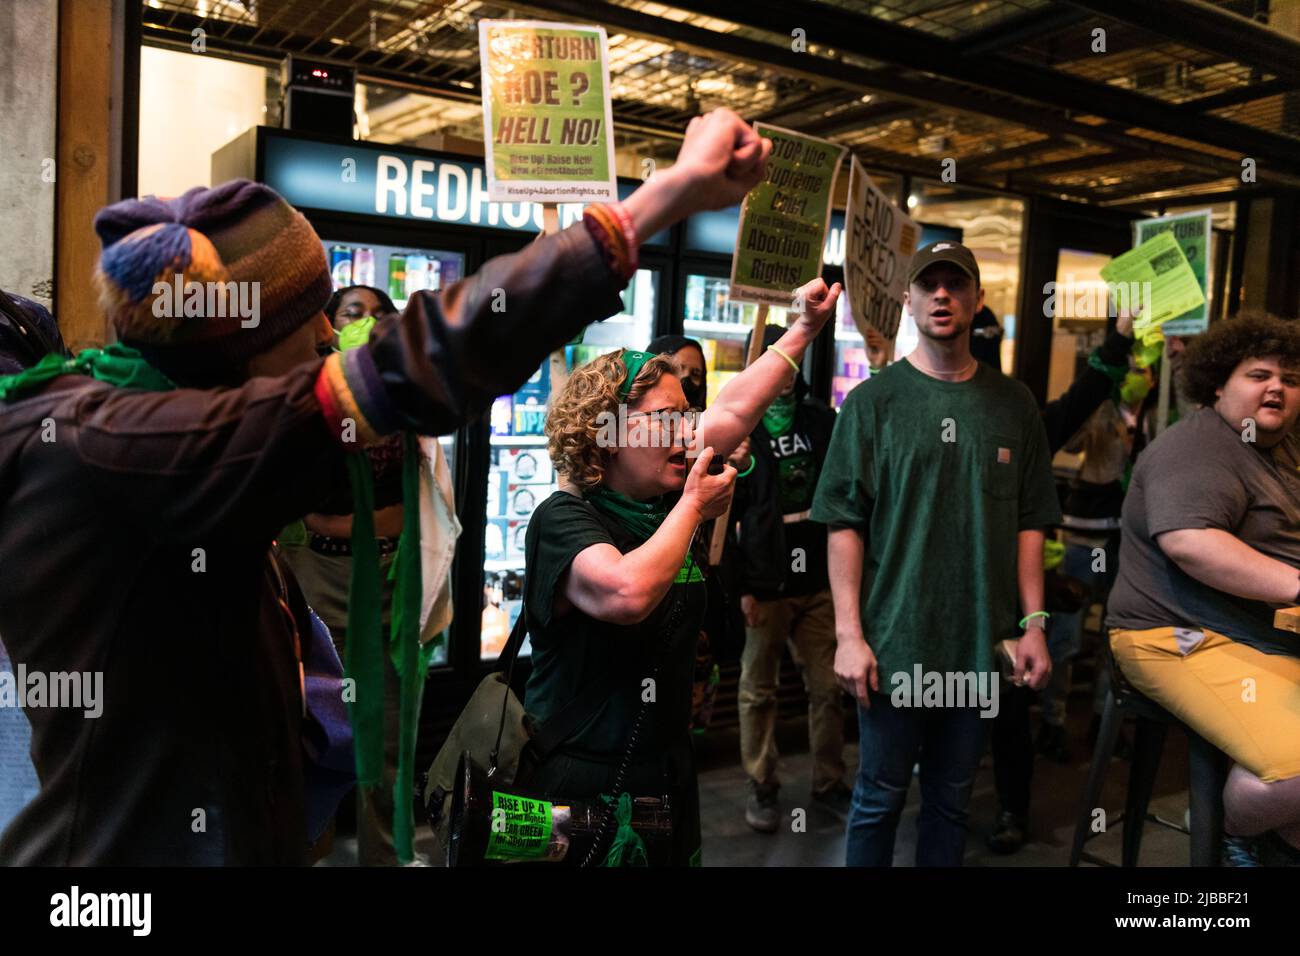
x: 785, y: 219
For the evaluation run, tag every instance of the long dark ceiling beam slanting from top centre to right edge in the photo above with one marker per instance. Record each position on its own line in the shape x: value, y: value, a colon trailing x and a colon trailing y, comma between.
x: 878, y: 40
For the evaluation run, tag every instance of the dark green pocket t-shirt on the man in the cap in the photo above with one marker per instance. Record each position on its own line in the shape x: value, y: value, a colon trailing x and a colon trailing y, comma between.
x: 939, y: 478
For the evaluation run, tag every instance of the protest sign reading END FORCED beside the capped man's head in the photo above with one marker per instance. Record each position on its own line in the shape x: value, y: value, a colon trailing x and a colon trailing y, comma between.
x: 879, y: 246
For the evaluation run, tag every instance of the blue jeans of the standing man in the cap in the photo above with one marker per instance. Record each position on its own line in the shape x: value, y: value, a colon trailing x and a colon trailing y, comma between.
x: 950, y: 743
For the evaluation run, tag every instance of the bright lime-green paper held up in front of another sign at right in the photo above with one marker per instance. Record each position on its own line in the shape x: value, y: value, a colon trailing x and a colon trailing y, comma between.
x: 1155, y: 276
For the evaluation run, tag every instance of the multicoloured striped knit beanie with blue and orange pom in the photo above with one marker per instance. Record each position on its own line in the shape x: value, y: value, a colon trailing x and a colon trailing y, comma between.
x: 203, y: 283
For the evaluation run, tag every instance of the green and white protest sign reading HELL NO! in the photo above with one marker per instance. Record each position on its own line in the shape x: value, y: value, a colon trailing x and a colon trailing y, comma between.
x: 548, y: 126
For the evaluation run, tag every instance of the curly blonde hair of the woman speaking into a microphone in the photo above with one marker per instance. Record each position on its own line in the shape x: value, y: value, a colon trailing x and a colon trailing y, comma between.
x: 575, y: 418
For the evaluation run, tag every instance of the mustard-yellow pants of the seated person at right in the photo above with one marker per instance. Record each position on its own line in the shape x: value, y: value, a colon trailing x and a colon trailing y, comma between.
x: 1242, y: 700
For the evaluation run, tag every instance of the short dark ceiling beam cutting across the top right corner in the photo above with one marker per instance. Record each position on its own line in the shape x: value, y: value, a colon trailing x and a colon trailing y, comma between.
x: 1198, y: 24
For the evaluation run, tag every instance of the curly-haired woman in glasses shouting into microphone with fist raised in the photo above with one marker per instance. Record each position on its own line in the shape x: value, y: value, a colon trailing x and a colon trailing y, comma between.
x: 616, y: 573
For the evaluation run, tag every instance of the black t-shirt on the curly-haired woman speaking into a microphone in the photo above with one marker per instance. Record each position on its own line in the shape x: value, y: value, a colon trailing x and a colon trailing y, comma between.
x: 574, y: 651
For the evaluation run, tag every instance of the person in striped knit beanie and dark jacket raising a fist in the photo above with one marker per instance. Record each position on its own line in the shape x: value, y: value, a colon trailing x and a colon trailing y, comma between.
x: 148, y: 481
